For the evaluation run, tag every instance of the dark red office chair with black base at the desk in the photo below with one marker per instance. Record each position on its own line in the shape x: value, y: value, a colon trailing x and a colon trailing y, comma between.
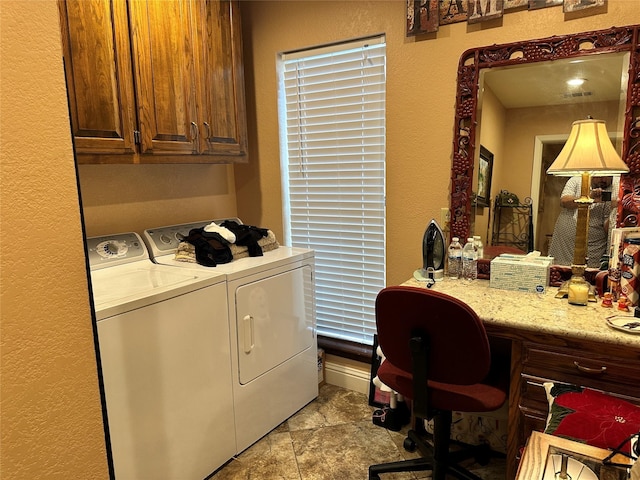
x: 438, y: 356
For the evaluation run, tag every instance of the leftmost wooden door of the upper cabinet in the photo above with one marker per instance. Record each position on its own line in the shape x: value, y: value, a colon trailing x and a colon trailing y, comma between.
x: 95, y: 42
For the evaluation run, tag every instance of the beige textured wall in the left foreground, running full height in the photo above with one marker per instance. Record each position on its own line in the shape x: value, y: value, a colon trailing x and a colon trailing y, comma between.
x: 51, y: 422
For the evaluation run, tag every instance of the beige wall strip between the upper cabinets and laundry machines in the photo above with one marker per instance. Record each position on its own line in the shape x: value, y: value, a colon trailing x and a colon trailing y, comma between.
x: 132, y: 198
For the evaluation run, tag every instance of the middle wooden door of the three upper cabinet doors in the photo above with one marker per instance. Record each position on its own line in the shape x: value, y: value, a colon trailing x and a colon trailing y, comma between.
x: 164, y: 73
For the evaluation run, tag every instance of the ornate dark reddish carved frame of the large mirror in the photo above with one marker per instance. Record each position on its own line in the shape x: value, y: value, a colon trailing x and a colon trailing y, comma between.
x: 616, y: 39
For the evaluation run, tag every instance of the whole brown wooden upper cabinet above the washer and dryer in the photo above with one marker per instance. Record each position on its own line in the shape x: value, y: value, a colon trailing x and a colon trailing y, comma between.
x: 167, y: 73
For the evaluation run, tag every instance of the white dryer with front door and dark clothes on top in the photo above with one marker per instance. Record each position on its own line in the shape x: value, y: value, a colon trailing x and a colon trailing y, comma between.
x: 272, y: 324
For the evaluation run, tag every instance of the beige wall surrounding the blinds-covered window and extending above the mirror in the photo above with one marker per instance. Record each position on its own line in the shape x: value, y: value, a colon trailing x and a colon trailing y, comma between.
x: 421, y: 83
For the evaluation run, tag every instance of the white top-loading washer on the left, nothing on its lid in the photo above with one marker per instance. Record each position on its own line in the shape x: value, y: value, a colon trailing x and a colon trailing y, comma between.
x: 164, y: 348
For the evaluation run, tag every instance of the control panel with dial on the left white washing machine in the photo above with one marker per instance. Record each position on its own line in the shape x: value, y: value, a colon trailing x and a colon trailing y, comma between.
x: 111, y: 250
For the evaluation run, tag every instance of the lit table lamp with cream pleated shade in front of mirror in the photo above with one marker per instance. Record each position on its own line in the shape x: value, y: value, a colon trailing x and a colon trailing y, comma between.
x: 588, y: 151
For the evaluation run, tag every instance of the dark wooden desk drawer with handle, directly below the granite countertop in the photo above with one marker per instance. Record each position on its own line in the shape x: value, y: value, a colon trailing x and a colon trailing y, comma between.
x: 584, y: 368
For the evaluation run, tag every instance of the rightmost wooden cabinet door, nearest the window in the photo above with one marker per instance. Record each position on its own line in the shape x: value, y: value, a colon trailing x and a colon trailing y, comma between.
x: 223, y: 128
